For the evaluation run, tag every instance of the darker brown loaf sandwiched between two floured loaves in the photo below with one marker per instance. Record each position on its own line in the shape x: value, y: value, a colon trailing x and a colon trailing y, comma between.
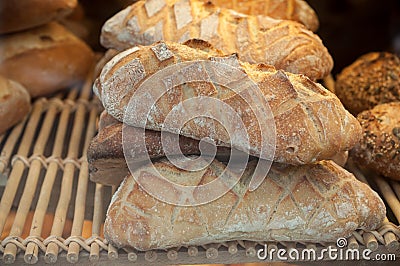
x: 107, y: 164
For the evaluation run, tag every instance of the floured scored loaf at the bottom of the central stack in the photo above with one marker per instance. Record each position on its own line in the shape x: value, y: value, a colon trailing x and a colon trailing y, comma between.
x: 312, y: 203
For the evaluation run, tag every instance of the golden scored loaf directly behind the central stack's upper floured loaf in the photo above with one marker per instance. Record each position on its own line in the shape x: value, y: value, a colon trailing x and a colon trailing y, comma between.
x: 285, y: 44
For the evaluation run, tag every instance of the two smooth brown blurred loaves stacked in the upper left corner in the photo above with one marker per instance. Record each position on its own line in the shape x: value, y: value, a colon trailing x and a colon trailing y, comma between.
x: 37, y: 51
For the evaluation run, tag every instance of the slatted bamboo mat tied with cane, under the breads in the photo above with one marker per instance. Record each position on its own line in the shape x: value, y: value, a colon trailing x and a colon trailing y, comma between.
x: 51, y: 212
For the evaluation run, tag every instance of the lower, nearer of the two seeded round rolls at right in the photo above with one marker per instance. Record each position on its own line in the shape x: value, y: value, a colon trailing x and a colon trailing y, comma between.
x: 379, y: 149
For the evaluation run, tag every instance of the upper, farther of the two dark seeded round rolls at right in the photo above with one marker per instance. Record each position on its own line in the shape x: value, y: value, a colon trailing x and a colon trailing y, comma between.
x: 372, y: 79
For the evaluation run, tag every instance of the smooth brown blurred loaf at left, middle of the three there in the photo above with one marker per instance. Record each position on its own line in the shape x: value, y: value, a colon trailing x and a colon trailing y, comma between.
x: 45, y: 59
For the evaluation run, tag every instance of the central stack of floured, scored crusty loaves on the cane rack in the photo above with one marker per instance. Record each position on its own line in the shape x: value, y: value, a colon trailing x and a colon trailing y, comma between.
x: 164, y: 76
